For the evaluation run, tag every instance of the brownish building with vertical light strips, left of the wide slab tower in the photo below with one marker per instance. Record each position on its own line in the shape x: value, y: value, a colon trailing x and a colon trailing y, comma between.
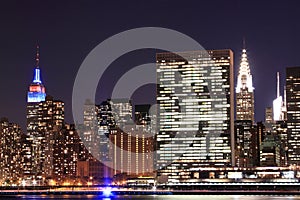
x: 131, y: 151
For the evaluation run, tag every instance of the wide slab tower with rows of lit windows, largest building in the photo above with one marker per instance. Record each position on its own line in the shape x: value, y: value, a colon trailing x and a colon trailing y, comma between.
x: 195, y: 97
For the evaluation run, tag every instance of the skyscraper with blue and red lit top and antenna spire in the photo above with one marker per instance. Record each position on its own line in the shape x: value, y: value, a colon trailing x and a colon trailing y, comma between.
x: 45, y: 119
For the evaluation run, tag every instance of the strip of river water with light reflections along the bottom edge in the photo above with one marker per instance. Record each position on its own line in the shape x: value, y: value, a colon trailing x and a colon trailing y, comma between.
x: 158, y: 197
